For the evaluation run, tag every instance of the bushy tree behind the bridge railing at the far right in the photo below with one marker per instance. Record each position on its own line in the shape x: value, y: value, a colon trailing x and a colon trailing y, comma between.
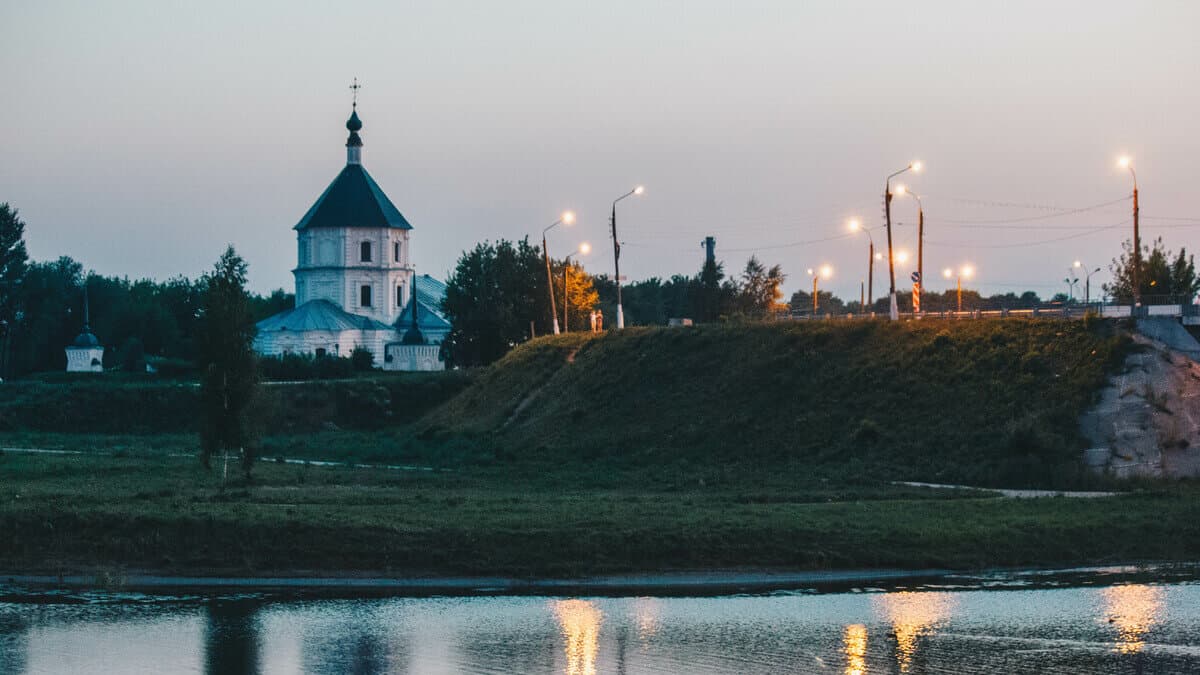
x: 1162, y: 280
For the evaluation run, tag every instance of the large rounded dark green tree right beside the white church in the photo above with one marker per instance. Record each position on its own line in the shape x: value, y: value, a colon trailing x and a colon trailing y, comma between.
x: 493, y: 297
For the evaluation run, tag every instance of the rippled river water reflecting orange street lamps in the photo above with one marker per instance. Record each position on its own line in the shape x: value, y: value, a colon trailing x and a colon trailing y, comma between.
x: 1119, y: 629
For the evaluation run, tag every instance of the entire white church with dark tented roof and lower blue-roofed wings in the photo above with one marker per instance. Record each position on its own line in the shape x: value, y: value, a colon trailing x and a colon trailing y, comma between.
x: 356, y: 285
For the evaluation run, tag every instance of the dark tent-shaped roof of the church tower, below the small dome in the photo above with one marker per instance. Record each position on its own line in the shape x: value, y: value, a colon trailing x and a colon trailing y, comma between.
x: 353, y: 200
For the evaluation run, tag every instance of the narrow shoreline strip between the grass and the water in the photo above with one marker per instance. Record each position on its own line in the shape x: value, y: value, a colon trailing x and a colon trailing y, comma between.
x: 716, y: 583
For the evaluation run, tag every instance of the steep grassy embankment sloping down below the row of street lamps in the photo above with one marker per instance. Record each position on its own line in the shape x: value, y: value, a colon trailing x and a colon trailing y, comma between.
x: 989, y: 403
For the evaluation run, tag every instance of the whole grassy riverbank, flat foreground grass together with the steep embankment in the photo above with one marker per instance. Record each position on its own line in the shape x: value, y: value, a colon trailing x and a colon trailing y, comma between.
x: 761, y: 446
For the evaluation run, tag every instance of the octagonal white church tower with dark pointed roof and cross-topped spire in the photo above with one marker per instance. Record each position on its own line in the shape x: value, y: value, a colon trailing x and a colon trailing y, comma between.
x: 353, y: 243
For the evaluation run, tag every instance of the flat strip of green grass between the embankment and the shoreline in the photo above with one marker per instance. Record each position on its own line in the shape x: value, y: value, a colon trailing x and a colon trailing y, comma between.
x: 133, y: 512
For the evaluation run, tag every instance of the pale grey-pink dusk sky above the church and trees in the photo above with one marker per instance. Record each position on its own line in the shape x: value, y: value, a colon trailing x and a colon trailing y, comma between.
x: 142, y: 138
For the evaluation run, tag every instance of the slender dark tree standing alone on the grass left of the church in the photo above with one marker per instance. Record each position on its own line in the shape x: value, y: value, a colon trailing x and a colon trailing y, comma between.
x: 227, y: 362
